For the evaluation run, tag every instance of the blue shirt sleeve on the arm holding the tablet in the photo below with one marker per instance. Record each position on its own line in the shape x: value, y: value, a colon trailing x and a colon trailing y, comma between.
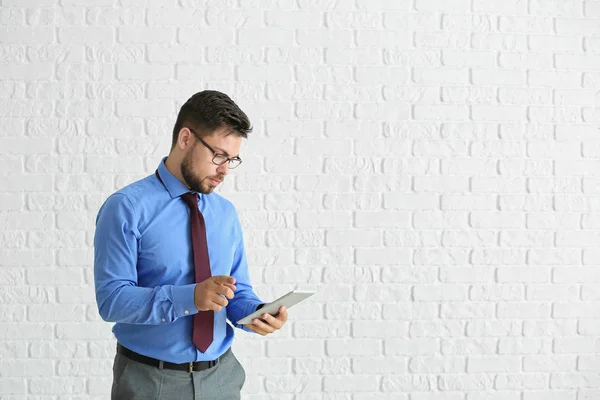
x: 244, y: 301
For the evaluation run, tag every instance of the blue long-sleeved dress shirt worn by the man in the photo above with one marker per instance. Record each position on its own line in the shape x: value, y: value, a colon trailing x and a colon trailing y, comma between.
x: 144, y: 270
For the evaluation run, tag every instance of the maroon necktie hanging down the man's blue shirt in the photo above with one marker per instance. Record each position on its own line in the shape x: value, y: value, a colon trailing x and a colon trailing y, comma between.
x: 202, y: 335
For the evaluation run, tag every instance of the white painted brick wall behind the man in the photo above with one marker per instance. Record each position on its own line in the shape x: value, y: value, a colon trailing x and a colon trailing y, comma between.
x: 431, y: 166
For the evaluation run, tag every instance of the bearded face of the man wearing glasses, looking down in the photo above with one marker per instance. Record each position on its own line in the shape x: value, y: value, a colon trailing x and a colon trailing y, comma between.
x: 197, y: 168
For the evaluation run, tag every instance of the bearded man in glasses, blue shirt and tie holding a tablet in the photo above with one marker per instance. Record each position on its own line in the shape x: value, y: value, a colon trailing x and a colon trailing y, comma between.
x: 170, y: 266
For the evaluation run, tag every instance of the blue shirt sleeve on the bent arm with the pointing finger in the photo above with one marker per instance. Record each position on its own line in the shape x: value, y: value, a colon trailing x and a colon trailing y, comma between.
x: 118, y: 296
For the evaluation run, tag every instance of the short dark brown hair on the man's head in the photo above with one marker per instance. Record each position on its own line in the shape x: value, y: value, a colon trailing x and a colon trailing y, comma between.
x: 209, y: 110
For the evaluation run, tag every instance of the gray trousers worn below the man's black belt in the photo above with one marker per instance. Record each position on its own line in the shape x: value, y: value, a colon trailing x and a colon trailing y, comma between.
x: 136, y: 381
